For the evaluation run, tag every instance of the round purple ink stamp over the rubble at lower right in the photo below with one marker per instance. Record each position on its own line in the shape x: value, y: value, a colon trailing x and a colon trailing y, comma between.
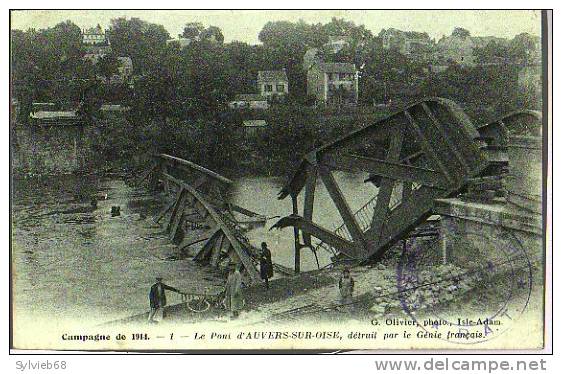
x: 475, y: 294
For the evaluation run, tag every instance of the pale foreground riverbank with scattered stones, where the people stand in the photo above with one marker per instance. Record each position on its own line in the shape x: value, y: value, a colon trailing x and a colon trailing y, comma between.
x: 380, y: 294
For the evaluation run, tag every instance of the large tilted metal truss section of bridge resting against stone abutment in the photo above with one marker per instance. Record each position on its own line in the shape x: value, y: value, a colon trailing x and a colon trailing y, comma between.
x: 426, y: 151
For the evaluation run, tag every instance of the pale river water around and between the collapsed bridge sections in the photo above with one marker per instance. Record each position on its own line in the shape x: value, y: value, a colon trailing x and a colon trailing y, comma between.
x: 73, y: 262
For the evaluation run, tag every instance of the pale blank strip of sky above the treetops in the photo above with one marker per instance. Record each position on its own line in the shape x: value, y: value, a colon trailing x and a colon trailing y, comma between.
x: 245, y: 25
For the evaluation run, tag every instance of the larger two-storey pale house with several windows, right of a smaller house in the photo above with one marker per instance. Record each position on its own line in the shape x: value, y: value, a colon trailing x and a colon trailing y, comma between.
x: 333, y: 82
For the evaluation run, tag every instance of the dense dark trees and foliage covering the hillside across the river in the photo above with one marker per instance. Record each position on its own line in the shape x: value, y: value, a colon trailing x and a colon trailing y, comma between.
x: 179, y: 95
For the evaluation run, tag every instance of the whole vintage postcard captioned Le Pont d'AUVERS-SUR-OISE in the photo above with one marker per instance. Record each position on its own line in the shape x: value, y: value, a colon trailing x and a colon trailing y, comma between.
x: 279, y: 180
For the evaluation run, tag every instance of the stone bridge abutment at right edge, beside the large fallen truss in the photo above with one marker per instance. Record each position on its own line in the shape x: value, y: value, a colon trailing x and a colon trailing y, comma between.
x: 510, y: 216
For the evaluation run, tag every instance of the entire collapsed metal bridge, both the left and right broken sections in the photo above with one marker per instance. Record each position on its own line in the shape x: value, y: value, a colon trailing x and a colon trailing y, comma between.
x: 429, y: 150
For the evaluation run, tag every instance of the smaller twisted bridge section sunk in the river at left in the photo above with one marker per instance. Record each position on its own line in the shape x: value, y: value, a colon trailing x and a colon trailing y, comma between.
x: 201, y: 200
